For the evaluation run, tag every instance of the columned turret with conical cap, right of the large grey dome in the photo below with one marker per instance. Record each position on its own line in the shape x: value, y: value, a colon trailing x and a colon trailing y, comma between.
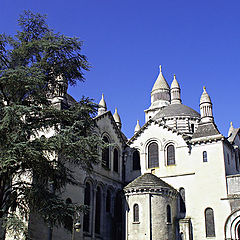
x: 206, y: 107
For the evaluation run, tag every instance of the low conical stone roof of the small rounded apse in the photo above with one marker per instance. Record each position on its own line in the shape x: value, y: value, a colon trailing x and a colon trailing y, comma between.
x: 148, y: 180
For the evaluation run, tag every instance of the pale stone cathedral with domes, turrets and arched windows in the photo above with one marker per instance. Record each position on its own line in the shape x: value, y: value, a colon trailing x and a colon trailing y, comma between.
x: 176, y: 178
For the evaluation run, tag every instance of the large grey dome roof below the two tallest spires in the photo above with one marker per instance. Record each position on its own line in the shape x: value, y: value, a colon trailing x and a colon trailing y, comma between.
x: 177, y: 110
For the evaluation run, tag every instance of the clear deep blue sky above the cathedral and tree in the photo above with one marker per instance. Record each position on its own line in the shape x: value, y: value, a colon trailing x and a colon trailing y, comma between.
x: 126, y: 40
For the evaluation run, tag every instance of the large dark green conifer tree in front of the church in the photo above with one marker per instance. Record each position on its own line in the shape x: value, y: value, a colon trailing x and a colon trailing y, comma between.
x: 40, y: 142
